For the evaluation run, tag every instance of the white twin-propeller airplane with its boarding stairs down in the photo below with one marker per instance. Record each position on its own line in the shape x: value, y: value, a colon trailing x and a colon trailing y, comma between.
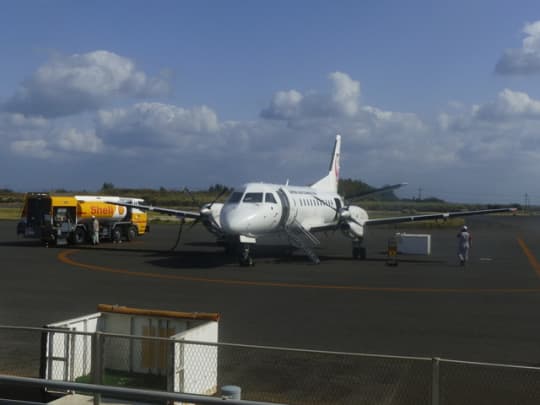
x: 261, y: 209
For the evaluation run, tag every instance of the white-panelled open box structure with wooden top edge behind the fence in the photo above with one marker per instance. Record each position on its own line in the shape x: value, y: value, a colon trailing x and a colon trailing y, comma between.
x: 70, y: 348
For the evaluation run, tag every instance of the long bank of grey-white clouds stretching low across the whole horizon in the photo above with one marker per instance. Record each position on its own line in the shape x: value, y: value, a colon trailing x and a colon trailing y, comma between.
x: 191, y: 146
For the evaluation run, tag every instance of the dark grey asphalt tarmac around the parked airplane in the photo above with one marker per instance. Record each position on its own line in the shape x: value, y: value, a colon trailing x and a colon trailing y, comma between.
x: 426, y: 306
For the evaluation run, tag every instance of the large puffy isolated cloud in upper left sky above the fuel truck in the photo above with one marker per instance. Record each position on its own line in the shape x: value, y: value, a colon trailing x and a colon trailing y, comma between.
x: 69, y: 85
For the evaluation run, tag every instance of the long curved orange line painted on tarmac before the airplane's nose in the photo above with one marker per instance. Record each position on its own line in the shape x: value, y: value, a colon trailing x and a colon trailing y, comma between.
x: 64, y: 257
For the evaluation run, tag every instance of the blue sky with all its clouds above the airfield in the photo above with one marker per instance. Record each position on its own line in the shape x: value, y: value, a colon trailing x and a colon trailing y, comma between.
x: 442, y: 95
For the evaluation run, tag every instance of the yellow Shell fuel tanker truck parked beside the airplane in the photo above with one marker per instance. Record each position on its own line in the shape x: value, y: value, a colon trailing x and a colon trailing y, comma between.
x: 67, y: 219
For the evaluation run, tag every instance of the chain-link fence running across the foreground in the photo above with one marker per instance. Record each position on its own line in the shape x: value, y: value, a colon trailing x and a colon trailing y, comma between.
x: 264, y: 373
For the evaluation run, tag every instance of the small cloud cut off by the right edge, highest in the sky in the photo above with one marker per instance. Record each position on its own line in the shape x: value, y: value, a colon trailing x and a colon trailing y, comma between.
x: 525, y: 60
